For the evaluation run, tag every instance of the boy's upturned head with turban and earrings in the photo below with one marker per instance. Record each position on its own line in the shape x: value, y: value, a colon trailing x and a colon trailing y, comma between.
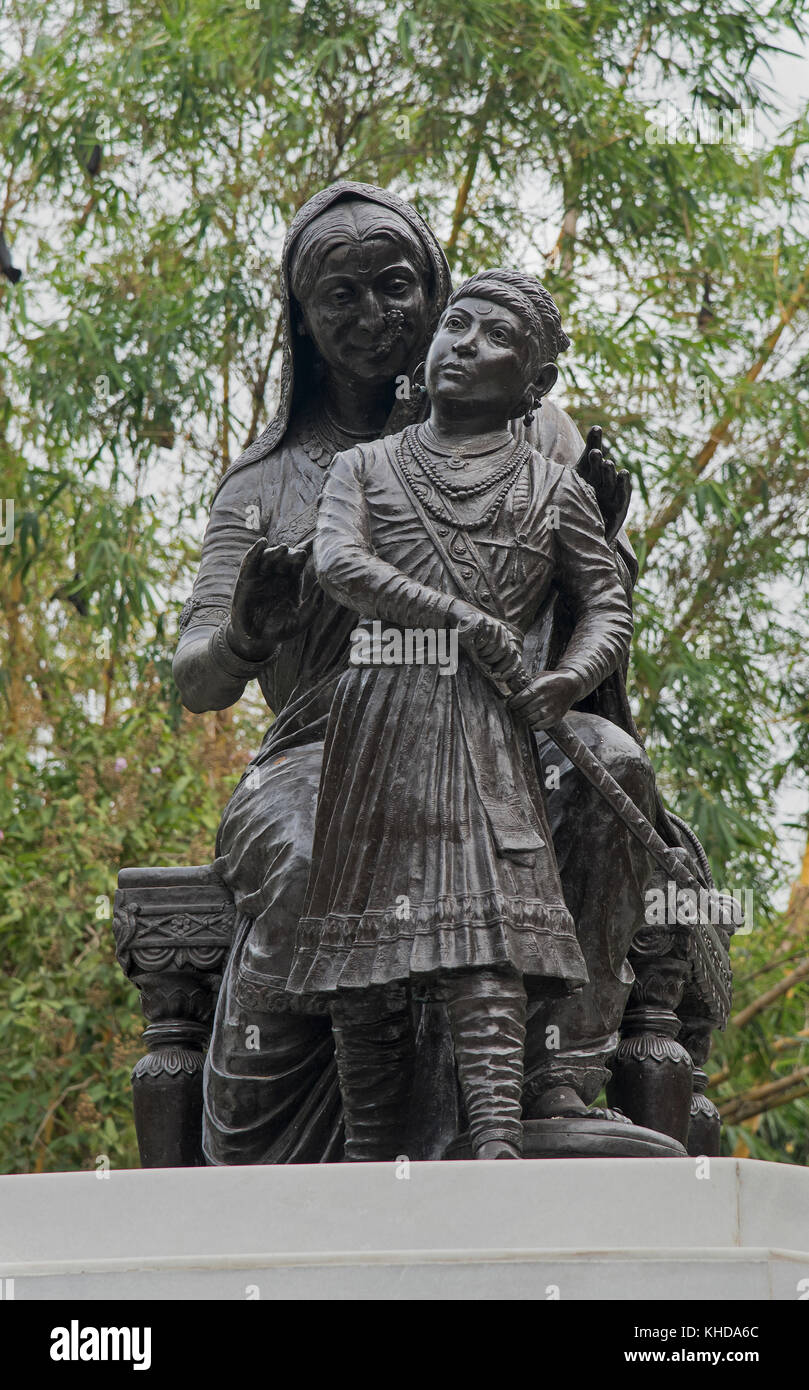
x: 497, y: 341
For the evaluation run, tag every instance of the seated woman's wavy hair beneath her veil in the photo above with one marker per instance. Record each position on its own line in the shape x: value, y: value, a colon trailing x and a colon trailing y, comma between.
x: 351, y: 223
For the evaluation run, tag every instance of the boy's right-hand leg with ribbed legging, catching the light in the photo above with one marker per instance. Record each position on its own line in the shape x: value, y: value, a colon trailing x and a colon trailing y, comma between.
x: 487, y: 1014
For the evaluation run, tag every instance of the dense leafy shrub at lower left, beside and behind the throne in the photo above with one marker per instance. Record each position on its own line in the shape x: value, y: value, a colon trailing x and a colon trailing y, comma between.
x: 92, y: 800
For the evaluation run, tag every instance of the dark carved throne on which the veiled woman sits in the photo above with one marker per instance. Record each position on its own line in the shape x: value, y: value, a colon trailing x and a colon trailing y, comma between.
x: 173, y: 933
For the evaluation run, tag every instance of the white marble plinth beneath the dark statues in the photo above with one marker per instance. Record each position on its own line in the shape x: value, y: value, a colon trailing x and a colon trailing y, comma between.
x: 590, y: 1229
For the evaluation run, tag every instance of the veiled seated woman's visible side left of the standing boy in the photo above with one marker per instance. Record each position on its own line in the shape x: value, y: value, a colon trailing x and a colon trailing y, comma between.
x: 363, y: 283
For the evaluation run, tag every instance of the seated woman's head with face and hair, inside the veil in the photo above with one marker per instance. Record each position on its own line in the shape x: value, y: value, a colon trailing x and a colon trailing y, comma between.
x: 363, y: 288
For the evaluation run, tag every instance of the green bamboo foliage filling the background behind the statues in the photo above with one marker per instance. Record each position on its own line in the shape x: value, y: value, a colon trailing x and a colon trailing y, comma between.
x: 138, y: 358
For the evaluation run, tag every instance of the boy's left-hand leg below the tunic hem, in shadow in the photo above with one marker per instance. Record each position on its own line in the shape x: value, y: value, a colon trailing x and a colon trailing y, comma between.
x: 375, y: 1045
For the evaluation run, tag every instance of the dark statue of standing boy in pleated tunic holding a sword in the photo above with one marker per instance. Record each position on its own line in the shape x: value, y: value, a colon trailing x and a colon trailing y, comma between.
x: 430, y: 792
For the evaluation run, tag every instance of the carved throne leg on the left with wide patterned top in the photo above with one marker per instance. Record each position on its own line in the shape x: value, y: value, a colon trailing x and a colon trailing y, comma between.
x: 173, y: 932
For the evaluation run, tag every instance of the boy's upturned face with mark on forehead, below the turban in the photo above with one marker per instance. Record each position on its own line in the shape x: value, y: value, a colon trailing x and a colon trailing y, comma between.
x: 480, y: 355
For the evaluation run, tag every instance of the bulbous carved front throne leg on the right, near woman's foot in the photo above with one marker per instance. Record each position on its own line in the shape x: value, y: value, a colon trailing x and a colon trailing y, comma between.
x: 651, y: 1081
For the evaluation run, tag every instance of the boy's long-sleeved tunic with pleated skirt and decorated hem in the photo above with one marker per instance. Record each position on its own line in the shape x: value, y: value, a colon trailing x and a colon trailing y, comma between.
x: 433, y: 850
